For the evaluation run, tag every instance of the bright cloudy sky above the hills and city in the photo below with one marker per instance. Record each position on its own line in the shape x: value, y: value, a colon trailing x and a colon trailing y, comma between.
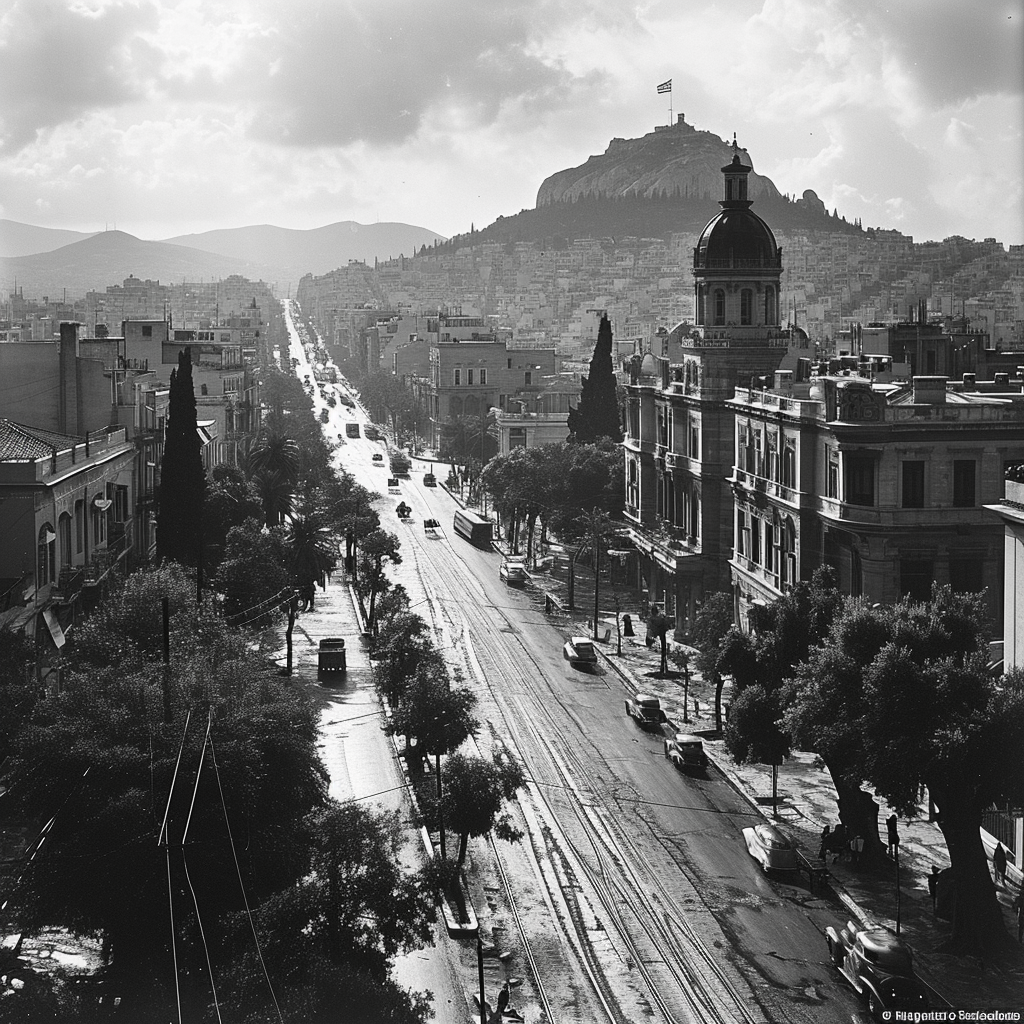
x: 168, y: 117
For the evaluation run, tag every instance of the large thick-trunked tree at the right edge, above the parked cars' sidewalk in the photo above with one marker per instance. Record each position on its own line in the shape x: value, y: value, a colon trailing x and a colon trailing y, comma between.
x: 900, y: 697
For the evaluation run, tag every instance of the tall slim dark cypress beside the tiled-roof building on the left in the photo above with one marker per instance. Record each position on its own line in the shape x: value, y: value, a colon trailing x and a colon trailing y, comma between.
x: 183, y: 480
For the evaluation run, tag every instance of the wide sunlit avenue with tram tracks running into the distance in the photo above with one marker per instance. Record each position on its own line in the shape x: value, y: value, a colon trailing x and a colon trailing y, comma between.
x: 632, y: 894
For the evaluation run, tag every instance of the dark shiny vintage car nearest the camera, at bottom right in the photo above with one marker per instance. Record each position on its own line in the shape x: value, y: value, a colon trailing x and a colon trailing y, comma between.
x: 880, y: 968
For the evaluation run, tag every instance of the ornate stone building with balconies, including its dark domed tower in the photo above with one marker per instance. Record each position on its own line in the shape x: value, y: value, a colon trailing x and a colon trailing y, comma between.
x: 679, y: 441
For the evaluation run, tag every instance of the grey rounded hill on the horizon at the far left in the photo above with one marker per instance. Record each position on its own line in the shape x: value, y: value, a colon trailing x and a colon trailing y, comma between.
x: 110, y: 258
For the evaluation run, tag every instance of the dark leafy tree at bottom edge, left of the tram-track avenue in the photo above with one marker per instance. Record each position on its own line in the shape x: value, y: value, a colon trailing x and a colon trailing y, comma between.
x: 331, y: 936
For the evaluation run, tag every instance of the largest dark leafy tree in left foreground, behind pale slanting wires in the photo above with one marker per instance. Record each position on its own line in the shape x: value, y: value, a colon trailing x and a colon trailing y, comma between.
x: 100, y: 759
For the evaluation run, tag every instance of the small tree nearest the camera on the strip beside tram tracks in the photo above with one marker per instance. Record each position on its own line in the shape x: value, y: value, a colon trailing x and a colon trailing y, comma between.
x: 477, y: 790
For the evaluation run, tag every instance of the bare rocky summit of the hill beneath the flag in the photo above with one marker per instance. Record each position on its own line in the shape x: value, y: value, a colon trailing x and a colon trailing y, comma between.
x: 673, y: 160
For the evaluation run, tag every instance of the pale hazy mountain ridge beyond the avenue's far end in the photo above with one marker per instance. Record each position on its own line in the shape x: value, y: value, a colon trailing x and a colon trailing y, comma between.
x: 317, y: 251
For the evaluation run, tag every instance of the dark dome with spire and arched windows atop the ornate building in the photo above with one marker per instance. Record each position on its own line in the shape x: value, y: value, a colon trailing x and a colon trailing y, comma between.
x: 738, y: 264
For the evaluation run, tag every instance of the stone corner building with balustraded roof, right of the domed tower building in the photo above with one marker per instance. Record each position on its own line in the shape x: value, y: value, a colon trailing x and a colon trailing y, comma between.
x: 885, y: 482
